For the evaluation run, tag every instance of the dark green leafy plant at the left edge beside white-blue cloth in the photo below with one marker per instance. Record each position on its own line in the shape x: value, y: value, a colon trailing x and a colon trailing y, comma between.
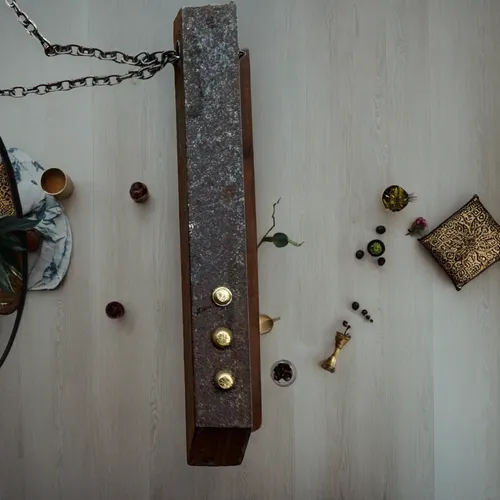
x: 11, y: 243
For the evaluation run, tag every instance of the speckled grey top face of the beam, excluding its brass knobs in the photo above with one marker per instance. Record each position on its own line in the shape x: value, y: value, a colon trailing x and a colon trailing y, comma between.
x: 214, y: 159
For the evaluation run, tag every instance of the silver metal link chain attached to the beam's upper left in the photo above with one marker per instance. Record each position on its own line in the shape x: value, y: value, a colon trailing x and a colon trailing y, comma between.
x: 149, y: 63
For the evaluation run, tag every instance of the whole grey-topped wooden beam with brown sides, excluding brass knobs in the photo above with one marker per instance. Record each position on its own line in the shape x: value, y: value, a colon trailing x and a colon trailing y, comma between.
x: 218, y: 238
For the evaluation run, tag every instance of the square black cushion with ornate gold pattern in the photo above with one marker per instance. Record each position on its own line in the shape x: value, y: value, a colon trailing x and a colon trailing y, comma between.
x: 466, y: 244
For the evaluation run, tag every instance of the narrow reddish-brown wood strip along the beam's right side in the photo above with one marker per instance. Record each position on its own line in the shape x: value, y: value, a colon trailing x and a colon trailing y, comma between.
x: 251, y: 239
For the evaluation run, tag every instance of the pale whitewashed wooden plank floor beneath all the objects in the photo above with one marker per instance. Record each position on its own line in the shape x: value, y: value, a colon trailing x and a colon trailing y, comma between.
x: 349, y: 97
